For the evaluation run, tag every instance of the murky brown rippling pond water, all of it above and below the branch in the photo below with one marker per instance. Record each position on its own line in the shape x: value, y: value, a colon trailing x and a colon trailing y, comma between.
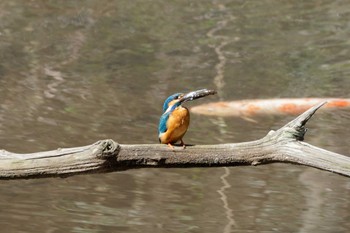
x: 72, y: 73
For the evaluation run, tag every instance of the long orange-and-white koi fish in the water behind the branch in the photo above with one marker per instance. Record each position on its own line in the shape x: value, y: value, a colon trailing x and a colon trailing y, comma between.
x: 250, y: 108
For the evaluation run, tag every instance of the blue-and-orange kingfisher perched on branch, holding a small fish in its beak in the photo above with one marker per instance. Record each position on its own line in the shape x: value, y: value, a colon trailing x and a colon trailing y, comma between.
x: 174, y: 122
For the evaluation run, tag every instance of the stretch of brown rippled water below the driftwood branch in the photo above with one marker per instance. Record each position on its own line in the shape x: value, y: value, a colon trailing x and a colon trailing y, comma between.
x: 175, y: 200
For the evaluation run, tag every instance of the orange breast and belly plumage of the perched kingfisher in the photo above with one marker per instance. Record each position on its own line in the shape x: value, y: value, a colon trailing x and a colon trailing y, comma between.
x: 177, y: 125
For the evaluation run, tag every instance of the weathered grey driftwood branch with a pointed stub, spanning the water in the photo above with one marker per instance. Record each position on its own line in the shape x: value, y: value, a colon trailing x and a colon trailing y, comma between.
x: 283, y: 145
